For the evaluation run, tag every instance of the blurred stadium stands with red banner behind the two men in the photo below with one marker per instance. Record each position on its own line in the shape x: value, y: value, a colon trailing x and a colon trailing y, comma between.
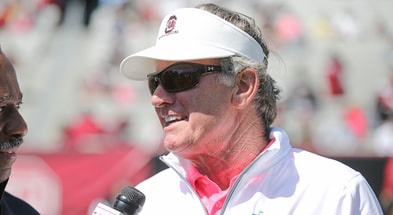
x: 92, y: 131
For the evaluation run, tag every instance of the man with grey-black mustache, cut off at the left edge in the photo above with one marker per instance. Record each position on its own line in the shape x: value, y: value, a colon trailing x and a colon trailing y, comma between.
x: 12, y: 130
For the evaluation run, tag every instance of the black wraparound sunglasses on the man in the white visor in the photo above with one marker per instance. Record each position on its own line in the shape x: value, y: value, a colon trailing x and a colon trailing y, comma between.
x: 180, y: 76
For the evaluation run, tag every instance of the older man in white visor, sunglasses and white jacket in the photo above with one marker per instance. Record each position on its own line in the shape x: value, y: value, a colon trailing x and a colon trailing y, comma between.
x: 216, y: 104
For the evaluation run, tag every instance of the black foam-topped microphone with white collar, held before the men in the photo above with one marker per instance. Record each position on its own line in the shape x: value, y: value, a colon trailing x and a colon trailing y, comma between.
x: 128, y: 202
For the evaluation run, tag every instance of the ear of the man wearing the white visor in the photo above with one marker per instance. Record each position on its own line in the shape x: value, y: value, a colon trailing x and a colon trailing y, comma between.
x: 247, y: 82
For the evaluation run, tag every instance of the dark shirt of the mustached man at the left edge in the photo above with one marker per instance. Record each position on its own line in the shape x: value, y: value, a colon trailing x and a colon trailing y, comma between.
x: 10, y: 205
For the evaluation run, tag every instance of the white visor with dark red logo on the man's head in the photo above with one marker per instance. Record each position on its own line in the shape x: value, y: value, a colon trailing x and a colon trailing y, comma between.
x: 192, y: 34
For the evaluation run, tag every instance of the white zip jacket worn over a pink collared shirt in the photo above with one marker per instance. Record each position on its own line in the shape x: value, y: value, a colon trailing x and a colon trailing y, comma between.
x: 281, y: 180
